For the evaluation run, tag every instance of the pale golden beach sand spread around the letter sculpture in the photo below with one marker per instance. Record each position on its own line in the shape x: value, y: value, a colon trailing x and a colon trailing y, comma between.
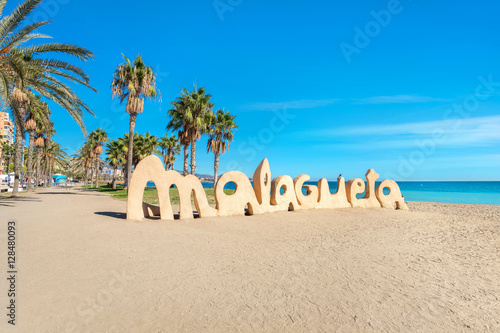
x: 83, y: 268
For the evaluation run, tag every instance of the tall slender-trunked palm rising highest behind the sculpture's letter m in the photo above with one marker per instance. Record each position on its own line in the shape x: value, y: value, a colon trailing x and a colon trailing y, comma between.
x: 134, y: 82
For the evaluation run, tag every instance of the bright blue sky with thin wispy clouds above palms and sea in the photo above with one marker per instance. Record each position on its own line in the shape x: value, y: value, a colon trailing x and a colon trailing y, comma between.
x: 318, y: 87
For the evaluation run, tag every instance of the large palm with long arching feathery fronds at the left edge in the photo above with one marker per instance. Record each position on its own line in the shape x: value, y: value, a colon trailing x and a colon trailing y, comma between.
x: 22, y: 71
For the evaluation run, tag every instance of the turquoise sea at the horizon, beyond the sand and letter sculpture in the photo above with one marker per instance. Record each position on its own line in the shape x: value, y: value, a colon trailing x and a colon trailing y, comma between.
x: 435, y: 191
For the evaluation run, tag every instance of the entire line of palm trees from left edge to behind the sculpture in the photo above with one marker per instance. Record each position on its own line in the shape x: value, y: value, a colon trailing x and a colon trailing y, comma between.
x: 31, y: 76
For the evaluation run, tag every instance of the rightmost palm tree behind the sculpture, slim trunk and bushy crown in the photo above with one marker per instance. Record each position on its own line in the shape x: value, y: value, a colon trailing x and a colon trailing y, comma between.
x: 220, y: 127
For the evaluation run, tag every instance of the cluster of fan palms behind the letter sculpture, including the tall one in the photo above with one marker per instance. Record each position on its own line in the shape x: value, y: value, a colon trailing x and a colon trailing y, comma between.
x: 191, y: 116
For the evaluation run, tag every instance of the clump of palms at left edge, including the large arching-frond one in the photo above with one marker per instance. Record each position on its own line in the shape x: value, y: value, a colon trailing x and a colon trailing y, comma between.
x: 28, y: 73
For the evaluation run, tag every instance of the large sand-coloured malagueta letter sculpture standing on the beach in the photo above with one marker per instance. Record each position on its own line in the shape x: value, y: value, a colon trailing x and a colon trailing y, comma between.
x: 279, y: 194
